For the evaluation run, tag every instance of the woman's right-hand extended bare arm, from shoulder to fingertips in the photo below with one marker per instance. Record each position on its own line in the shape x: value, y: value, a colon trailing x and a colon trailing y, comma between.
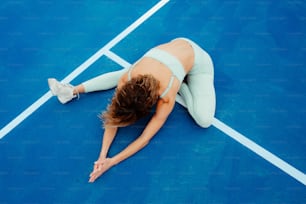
x: 162, y: 112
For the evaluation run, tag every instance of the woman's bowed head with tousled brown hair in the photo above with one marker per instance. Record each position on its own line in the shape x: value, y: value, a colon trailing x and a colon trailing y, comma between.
x: 132, y: 101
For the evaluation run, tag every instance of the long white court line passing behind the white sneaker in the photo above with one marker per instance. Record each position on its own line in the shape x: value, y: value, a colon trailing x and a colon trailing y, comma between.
x: 26, y: 113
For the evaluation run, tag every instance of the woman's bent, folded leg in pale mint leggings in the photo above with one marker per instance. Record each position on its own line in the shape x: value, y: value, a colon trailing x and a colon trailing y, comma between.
x: 199, y: 92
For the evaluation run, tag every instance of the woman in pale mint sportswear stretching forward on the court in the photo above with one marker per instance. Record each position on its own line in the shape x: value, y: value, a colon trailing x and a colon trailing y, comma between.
x: 177, y: 67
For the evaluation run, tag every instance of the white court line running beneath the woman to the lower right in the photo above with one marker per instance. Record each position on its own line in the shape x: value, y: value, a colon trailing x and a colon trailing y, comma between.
x: 265, y: 154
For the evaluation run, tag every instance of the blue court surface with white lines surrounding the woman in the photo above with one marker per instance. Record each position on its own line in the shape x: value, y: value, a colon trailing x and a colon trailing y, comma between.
x: 255, y: 151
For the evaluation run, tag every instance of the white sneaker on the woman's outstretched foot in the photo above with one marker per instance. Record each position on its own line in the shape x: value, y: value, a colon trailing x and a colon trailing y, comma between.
x: 64, y: 92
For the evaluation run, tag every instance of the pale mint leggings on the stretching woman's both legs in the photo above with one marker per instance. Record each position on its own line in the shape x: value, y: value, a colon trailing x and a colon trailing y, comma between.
x: 197, y: 95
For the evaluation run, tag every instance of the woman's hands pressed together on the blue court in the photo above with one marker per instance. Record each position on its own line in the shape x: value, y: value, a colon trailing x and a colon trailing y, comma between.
x: 100, y: 166
